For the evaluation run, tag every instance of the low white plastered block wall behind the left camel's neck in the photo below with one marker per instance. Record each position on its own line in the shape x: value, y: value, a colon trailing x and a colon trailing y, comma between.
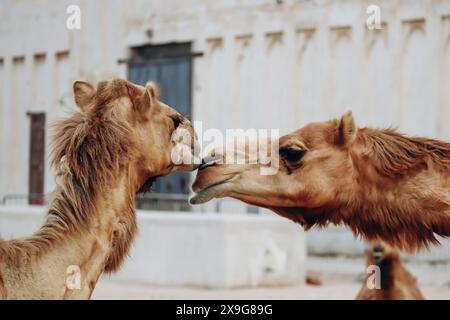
x: 201, y: 250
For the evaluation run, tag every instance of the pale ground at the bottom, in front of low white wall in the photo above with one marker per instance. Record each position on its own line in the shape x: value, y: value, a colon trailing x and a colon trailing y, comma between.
x: 341, y: 279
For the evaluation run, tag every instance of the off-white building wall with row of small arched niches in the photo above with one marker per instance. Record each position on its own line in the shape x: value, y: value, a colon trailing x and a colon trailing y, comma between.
x: 265, y: 65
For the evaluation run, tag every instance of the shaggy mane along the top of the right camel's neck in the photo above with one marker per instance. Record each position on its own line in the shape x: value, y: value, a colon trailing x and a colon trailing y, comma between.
x: 394, y: 154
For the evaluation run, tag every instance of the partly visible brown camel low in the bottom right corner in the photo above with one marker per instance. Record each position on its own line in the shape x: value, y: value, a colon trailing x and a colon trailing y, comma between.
x: 396, y: 283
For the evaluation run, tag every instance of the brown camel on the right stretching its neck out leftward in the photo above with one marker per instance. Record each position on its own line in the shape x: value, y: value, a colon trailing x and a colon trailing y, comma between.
x: 382, y: 184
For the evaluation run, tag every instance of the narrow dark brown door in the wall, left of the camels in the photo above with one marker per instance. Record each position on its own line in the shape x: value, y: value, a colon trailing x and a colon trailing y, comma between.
x: 37, y: 158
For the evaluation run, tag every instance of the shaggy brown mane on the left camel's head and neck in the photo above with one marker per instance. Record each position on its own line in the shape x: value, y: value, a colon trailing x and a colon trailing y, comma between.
x: 88, y: 150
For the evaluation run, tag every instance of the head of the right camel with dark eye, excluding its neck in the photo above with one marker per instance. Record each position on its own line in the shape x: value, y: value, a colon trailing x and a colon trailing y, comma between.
x: 314, y: 170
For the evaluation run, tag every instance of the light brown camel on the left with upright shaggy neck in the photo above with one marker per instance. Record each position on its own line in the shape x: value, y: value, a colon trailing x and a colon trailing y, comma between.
x: 115, y: 145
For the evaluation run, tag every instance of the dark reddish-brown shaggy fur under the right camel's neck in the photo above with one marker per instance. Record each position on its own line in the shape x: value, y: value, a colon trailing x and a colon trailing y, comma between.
x: 408, y: 219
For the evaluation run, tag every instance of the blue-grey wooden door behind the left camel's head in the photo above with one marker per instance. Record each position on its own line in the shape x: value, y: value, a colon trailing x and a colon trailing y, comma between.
x: 170, y: 66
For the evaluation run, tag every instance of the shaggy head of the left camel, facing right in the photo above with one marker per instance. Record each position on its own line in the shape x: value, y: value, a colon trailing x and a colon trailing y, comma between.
x: 122, y: 124
